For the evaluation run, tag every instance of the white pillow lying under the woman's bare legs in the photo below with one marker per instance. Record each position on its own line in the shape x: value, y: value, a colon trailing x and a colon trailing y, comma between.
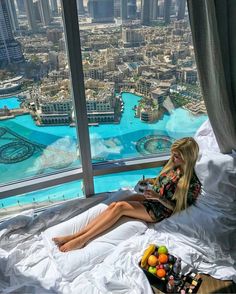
x: 73, y: 263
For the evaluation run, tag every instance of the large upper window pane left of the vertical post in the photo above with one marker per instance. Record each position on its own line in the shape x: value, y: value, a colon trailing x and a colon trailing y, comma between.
x: 36, y: 112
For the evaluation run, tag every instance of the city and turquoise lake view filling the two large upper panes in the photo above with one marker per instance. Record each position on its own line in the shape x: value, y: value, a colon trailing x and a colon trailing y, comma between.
x: 140, y: 77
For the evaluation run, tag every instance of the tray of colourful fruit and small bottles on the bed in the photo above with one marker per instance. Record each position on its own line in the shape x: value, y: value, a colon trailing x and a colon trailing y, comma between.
x: 163, y: 271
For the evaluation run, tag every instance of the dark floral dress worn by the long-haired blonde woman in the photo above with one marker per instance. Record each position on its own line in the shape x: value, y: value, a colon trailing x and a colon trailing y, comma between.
x: 166, y: 188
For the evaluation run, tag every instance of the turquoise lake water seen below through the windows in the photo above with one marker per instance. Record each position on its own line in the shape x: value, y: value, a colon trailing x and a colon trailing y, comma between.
x: 108, y: 142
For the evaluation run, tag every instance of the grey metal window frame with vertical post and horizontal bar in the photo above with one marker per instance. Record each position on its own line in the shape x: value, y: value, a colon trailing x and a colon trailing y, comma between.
x: 88, y: 170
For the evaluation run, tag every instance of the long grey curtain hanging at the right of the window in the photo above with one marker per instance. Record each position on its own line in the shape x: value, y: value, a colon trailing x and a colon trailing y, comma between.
x: 213, y: 25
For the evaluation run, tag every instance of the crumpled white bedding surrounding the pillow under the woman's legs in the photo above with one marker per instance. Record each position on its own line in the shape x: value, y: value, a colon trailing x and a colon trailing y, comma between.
x: 201, y: 236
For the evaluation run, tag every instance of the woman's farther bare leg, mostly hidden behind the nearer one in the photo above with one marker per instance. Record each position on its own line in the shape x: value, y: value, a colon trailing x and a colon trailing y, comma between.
x: 64, y: 239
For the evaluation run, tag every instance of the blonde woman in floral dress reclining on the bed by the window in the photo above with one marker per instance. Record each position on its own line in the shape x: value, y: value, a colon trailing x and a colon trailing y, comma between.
x: 173, y: 190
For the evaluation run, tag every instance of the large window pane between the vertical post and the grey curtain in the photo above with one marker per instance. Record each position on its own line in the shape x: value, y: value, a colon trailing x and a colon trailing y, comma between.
x: 142, y: 89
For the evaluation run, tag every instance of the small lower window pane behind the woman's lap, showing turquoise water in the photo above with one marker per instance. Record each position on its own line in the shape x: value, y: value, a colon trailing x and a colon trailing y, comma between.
x: 112, y: 182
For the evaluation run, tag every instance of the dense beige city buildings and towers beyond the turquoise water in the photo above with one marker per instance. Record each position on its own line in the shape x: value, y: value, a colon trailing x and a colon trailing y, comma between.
x: 144, y: 49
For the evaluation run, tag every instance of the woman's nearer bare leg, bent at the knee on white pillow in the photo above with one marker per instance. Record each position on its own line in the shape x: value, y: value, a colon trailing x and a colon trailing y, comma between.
x: 106, y: 220
